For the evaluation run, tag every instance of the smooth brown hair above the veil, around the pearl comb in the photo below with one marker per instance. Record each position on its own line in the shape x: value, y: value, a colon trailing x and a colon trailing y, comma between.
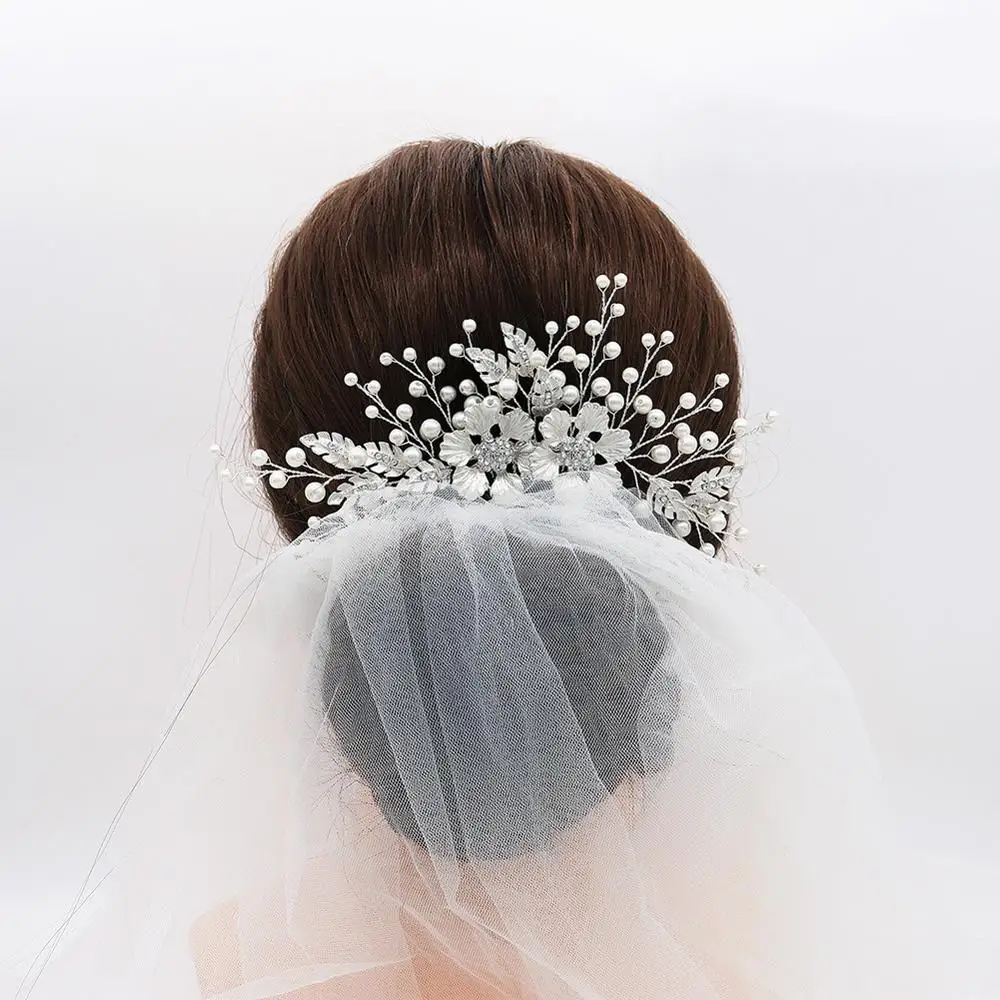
x: 443, y: 230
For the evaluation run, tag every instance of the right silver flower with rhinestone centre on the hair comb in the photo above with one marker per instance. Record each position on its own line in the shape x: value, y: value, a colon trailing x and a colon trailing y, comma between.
x: 576, y: 443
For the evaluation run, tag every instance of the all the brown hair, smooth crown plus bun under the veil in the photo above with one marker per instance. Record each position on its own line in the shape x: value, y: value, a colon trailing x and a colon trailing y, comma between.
x: 396, y: 257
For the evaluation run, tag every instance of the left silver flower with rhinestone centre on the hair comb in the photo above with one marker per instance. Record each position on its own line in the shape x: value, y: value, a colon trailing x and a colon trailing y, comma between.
x: 484, y: 460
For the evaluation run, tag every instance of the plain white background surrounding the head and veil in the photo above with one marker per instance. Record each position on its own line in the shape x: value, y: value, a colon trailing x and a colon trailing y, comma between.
x: 835, y: 164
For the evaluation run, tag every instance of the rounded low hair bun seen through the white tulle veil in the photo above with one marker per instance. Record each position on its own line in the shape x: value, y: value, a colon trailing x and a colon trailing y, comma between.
x: 606, y: 645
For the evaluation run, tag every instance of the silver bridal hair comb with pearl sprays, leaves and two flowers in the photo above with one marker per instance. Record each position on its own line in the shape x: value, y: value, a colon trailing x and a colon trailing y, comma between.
x: 526, y: 416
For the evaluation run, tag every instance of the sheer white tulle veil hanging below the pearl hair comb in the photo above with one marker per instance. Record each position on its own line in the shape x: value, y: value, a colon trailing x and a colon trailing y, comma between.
x: 714, y: 832
